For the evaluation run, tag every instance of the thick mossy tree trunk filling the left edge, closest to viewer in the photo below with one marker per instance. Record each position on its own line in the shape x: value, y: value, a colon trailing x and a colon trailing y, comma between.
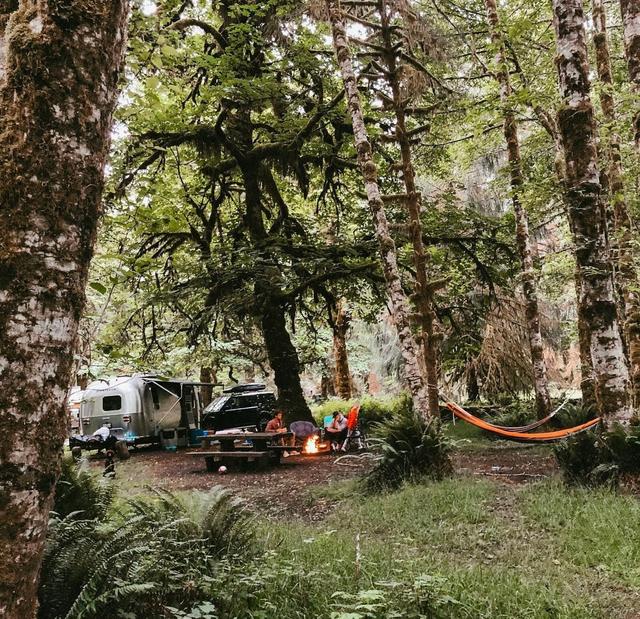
x: 59, y: 67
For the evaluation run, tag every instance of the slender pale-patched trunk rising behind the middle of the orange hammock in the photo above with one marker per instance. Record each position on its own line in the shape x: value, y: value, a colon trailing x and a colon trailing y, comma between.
x: 523, y: 239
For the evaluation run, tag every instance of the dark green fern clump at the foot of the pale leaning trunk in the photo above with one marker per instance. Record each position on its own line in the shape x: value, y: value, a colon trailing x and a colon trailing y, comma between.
x: 408, y: 449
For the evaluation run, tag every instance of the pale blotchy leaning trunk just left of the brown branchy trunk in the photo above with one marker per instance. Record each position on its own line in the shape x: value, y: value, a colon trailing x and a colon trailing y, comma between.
x: 397, y: 299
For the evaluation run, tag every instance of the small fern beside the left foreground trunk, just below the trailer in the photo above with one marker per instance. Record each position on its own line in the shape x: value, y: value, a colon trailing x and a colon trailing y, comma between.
x: 82, y: 491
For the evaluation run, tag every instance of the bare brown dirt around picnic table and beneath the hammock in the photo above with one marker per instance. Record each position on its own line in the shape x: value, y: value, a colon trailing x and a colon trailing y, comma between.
x: 286, y: 490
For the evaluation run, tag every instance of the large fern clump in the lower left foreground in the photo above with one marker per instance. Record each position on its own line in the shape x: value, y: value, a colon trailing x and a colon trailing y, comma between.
x: 152, y: 555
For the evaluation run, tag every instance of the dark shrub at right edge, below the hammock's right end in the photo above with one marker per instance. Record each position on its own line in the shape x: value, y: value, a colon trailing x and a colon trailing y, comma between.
x: 596, y: 458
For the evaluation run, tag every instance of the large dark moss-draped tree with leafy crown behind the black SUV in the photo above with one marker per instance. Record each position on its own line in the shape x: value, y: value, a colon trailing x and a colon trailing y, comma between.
x: 238, y: 149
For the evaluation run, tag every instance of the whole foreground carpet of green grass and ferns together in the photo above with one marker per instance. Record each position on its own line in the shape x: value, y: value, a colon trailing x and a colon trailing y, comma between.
x: 461, y: 547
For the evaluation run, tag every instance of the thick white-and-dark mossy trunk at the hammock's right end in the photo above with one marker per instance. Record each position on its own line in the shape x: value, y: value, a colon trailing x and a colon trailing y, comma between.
x: 584, y: 199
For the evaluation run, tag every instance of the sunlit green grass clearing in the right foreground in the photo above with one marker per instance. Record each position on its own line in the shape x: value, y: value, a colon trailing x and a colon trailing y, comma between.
x: 498, y: 551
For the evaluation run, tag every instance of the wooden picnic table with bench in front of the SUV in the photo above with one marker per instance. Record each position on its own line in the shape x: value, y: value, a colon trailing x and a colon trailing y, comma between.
x: 233, y: 447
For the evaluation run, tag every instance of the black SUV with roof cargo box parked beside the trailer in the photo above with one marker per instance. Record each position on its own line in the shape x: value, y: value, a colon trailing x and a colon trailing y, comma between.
x: 242, y: 406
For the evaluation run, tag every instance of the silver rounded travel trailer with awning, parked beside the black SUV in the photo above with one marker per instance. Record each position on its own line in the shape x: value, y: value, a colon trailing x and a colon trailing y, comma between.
x: 142, y: 409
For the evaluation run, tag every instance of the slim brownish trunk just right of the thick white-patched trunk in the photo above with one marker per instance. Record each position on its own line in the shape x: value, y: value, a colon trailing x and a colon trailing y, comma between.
x: 626, y: 278
